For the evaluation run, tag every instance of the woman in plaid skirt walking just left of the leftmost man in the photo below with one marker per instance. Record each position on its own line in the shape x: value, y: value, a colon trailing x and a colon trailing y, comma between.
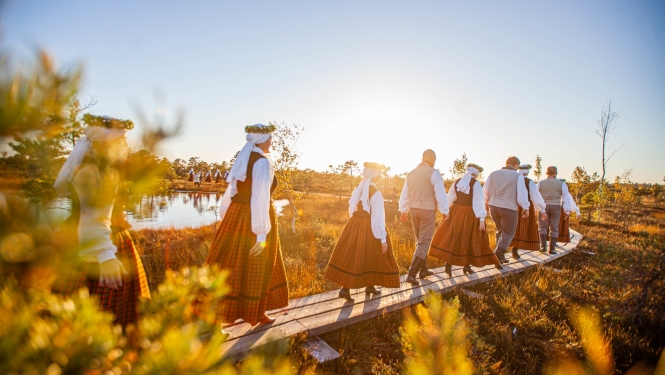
x: 363, y: 255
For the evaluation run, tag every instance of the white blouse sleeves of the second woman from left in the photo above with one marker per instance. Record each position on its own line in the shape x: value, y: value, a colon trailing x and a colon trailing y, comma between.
x: 262, y: 177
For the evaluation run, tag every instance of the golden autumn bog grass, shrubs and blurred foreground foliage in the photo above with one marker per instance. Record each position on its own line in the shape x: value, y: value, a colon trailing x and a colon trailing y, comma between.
x: 602, y: 314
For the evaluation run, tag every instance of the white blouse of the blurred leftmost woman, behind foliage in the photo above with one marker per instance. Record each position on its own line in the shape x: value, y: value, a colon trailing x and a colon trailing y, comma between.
x: 96, y: 193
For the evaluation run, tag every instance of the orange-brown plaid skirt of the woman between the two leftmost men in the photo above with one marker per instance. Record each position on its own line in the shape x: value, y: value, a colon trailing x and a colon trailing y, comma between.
x: 459, y: 242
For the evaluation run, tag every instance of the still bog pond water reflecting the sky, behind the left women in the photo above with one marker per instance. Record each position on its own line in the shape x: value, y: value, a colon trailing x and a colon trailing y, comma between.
x: 178, y: 210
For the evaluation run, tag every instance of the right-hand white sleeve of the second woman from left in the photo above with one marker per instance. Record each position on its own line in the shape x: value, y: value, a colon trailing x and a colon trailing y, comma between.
x: 262, y: 176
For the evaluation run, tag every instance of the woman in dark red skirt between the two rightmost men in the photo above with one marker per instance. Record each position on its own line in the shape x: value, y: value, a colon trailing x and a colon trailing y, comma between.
x: 526, y: 235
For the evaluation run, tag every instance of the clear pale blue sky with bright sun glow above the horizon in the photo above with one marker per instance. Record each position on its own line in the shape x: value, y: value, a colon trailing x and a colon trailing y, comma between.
x: 375, y: 81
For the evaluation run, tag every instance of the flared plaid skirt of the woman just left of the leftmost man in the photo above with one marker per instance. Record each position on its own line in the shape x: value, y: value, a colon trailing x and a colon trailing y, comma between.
x: 357, y: 260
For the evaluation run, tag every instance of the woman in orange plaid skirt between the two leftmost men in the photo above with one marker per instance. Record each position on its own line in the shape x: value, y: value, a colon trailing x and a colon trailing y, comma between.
x: 461, y: 239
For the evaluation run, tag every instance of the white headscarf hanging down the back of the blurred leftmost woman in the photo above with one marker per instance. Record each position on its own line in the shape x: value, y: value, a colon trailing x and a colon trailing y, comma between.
x: 81, y: 149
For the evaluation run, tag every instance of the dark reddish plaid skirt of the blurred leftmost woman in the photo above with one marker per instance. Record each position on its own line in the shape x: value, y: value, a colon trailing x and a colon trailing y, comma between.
x: 123, y: 302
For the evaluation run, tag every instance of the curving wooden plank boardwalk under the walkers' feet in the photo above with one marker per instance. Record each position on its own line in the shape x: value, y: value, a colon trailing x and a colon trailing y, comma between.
x: 325, y: 312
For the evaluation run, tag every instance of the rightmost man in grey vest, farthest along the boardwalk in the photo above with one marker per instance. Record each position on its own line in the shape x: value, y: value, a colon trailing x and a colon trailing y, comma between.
x: 557, y: 207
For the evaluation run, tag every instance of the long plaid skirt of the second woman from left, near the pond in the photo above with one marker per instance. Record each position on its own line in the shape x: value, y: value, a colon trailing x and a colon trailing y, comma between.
x: 256, y: 284
